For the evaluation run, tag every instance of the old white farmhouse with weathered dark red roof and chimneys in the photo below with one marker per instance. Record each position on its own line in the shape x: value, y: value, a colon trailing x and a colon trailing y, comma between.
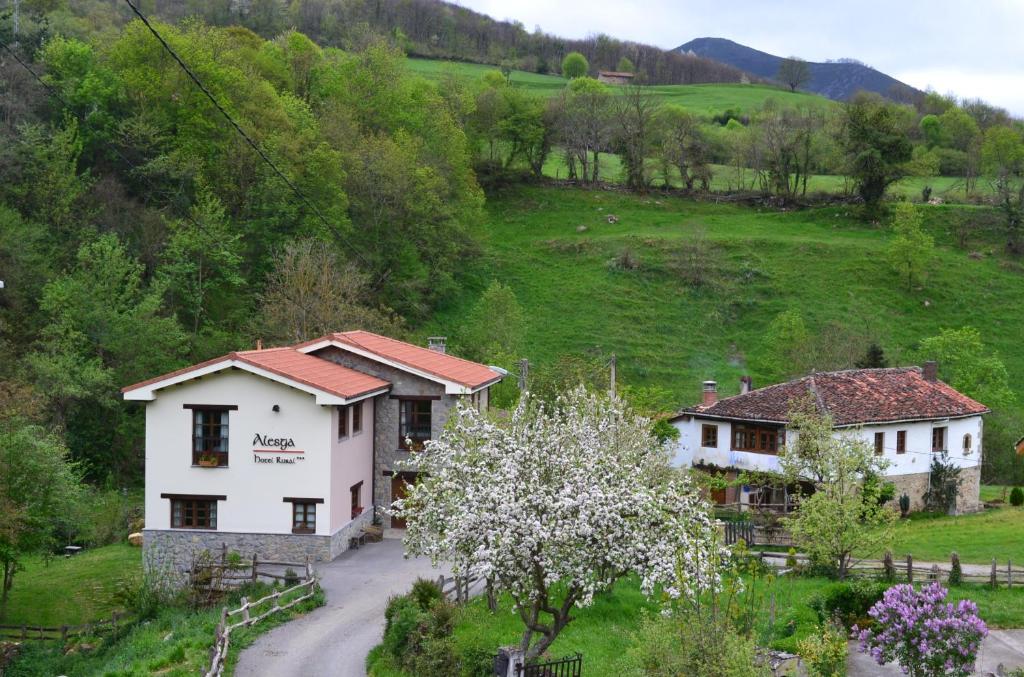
x: 907, y: 414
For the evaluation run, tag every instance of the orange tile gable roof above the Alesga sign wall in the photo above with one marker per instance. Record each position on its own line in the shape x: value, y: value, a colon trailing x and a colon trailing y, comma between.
x: 289, y: 363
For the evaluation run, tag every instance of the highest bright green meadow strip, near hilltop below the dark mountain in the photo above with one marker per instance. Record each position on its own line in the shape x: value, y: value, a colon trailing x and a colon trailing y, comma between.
x: 707, y: 100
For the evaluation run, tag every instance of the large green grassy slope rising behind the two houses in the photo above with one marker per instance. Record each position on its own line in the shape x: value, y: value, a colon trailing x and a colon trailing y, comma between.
x: 671, y: 331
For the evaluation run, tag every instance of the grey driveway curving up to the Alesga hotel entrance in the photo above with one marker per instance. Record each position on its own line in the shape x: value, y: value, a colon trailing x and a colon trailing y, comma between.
x: 335, y: 640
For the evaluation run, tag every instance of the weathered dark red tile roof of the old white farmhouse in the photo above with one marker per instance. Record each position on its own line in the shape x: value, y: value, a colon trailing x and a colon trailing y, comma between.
x: 851, y: 398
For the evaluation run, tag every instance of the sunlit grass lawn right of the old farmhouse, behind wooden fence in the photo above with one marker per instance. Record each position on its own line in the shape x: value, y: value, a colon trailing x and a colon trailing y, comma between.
x: 976, y: 538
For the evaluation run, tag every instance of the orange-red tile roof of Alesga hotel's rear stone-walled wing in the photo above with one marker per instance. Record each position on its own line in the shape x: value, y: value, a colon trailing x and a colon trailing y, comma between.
x: 450, y: 368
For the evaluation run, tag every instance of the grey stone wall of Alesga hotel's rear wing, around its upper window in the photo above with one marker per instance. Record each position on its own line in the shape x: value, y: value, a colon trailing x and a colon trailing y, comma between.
x: 388, y: 455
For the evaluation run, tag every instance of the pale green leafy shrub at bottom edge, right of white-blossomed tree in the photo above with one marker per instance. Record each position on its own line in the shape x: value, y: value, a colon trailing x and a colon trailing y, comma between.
x: 691, y: 645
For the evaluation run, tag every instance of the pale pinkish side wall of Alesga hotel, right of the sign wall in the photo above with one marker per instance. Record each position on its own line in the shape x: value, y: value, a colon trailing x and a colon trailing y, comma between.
x: 352, y: 462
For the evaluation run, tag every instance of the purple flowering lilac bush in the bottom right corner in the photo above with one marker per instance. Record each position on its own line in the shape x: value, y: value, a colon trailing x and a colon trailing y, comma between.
x: 923, y: 633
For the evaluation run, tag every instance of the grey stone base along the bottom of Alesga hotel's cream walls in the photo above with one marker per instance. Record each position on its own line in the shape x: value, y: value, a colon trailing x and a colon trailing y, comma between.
x: 174, y: 552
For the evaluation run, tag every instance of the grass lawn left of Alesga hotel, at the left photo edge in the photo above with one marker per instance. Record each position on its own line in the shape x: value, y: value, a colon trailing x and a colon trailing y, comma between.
x: 72, y: 590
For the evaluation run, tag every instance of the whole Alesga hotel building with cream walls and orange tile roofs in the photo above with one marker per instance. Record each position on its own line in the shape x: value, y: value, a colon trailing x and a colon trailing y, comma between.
x: 290, y: 452
